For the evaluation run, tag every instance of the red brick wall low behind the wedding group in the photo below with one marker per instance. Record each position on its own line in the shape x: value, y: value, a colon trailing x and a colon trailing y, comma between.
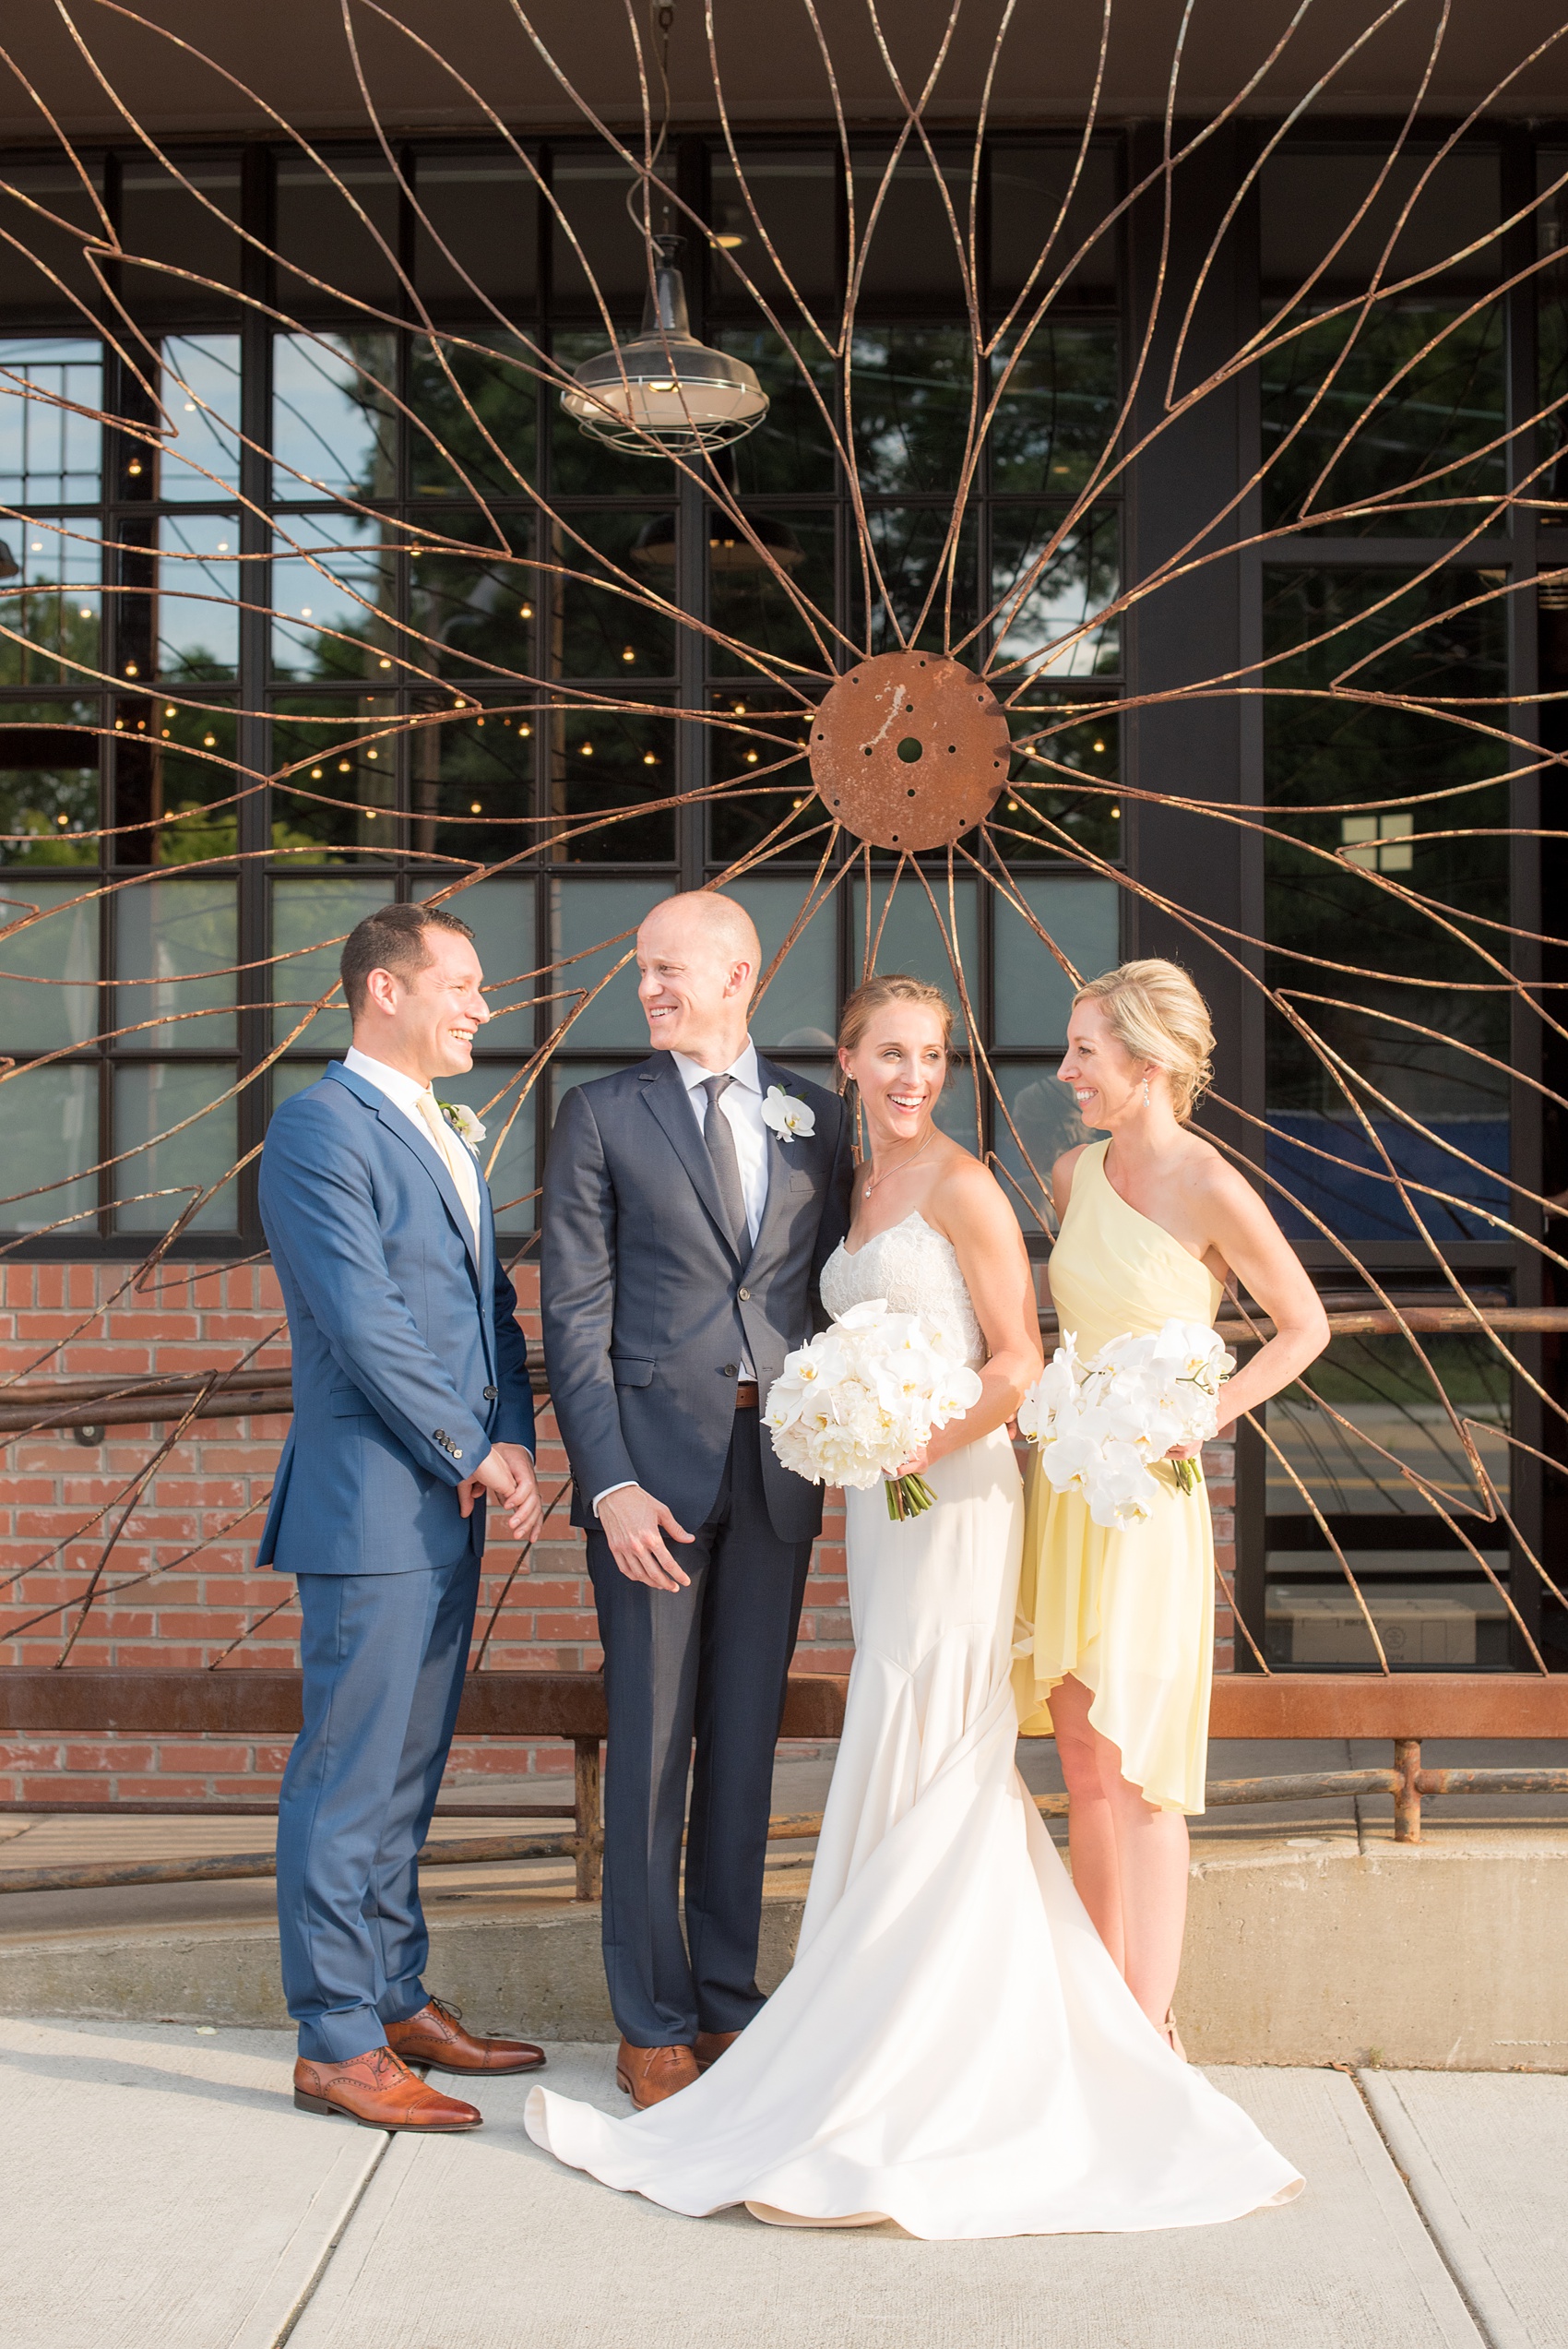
x: 180, y: 1584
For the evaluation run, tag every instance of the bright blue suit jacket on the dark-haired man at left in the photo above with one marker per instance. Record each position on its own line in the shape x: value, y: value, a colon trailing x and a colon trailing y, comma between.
x: 407, y: 1354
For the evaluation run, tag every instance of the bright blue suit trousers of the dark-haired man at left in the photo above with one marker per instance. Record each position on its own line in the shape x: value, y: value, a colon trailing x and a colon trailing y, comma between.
x: 384, y: 1664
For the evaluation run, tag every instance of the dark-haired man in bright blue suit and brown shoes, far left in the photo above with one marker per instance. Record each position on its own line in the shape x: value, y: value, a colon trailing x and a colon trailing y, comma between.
x: 410, y: 1408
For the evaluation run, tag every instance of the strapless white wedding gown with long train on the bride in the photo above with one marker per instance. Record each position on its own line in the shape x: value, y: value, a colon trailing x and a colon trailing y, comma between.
x: 954, y: 2047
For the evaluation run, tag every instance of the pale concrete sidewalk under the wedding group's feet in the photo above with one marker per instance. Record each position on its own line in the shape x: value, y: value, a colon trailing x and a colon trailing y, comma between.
x: 161, y: 2193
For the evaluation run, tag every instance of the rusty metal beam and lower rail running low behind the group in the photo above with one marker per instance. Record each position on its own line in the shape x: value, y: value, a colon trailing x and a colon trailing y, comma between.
x: 569, y: 1707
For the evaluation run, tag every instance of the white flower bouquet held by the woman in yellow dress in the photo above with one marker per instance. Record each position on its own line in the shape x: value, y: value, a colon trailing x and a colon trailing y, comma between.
x: 1102, y: 1425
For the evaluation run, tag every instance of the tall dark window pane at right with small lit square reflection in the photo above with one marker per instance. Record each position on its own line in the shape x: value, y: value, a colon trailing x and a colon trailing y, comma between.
x: 1405, y: 1030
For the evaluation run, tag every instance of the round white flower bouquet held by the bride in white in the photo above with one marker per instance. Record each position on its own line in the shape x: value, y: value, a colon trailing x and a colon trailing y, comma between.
x: 863, y: 1396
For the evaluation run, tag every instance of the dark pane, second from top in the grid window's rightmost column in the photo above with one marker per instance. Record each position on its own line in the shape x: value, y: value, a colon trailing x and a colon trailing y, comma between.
x: 1055, y: 408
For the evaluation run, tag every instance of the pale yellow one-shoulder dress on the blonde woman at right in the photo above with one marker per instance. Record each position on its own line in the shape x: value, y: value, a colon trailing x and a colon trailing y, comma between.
x: 1128, y: 1615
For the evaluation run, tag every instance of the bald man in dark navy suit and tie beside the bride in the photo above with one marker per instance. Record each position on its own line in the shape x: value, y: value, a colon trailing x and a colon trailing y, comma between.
x: 689, y: 1211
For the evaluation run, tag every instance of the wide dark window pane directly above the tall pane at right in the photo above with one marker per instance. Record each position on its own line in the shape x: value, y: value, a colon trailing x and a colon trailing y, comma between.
x: 1412, y: 396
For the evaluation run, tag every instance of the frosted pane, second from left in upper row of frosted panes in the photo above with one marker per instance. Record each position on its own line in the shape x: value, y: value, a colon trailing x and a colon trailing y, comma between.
x: 168, y: 938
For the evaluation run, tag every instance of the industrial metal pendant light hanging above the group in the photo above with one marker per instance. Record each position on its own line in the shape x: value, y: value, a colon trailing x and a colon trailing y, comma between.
x: 665, y: 393
